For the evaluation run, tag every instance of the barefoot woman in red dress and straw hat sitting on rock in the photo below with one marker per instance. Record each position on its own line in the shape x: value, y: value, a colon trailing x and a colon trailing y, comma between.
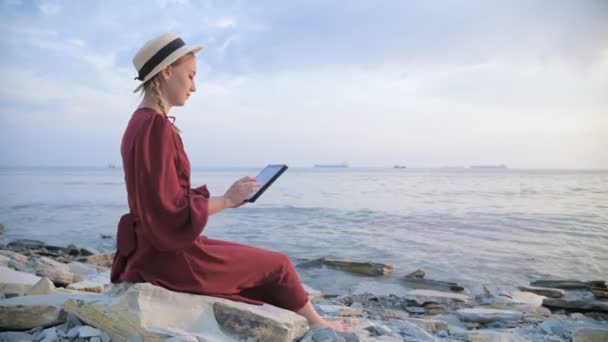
x: 159, y: 240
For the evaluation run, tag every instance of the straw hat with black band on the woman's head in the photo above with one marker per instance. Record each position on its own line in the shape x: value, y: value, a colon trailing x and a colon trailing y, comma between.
x: 157, y: 54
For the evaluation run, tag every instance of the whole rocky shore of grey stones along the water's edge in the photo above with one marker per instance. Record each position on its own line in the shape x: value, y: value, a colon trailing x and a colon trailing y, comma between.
x: 52, y: 293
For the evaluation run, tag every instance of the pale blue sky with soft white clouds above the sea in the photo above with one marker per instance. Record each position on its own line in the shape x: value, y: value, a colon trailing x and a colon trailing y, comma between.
x: 371, y: 83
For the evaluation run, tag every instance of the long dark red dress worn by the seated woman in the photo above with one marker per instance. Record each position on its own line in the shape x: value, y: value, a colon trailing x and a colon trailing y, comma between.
x: 160, y: 240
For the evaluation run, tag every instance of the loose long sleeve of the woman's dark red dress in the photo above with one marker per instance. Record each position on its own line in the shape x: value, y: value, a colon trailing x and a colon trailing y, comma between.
x: 171, y: 214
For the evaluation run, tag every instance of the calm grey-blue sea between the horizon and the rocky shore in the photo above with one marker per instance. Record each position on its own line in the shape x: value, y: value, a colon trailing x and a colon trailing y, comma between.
x: 498, y: 228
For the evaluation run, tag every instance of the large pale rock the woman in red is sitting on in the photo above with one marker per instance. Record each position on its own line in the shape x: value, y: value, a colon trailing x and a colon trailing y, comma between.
x: 154, y: 314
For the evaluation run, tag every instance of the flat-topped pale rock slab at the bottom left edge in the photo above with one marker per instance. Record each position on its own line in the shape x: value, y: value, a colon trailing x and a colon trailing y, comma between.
x: 27, y: 312
